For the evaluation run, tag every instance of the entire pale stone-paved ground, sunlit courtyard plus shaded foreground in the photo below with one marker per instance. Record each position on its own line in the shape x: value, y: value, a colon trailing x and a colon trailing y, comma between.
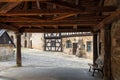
x: 41, y: 65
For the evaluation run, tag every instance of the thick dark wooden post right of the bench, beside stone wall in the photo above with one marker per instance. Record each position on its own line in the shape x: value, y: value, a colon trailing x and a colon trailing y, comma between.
x: 107, y: 56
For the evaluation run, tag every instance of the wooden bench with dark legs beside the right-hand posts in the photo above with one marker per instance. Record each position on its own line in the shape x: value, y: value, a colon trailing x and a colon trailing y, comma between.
x: 98, y: 66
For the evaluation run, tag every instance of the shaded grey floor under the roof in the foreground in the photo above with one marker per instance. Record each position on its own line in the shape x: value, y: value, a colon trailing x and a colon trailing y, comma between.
x: 47, y: 73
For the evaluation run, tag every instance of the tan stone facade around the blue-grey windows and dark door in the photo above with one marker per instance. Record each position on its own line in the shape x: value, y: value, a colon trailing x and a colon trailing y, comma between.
x: 76, y: 40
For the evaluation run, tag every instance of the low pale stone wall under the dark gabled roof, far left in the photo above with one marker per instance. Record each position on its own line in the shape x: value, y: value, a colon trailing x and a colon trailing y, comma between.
x: 6, y: 52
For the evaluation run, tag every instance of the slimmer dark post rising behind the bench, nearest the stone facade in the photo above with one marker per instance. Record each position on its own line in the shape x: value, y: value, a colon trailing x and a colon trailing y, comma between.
x: 95, y: 49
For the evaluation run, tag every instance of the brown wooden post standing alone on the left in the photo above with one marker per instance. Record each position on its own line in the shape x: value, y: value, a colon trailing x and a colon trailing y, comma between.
x: 18, y: 55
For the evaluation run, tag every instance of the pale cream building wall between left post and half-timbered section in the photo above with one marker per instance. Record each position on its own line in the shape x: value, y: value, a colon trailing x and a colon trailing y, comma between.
x: 30, y: 40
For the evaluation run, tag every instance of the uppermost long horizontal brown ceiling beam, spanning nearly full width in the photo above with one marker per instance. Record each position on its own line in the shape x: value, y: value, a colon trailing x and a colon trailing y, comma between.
x: 57, y: 11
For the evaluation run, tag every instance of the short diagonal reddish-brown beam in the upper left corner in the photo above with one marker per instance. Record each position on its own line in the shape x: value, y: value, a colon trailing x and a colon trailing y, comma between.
x: 9, y: 6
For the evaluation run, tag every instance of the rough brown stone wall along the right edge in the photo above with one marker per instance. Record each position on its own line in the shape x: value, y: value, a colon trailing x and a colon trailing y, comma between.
x: 115, y: 36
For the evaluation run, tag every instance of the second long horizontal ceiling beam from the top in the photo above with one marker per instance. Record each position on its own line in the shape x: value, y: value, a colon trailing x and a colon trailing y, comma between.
x: 26, y: 19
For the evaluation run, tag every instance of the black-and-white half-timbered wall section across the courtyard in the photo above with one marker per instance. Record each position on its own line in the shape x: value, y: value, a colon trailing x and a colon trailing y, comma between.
x: 53, y: 42
